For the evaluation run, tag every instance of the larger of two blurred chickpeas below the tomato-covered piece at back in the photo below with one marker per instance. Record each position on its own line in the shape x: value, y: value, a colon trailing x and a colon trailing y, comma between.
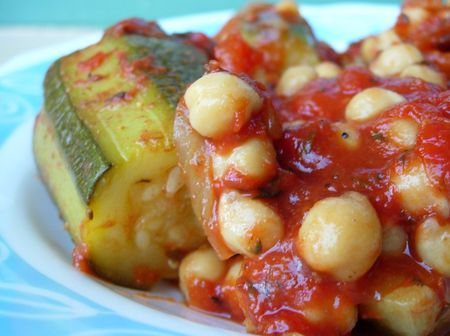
x: 294, y: 78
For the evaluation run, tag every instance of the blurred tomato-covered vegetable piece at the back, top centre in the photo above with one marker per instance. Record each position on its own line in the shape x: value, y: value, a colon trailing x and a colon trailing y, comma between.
x: 257, y: 41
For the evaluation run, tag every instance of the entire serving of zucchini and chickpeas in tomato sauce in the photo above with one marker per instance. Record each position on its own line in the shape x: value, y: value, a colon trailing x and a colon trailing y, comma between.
x: 323, y: 190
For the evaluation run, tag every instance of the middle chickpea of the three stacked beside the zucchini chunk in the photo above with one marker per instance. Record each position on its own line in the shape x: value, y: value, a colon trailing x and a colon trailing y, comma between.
x: 255, y: 158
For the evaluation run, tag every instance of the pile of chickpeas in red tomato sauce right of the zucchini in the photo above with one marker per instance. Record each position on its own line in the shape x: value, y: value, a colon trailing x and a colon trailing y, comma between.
x: 323, y: 188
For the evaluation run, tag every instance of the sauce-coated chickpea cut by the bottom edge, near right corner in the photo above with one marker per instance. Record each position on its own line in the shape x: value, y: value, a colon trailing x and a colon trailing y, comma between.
x: 409, y: 311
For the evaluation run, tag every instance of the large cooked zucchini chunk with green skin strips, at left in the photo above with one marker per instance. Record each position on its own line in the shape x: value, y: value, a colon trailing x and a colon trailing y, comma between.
x: 103, y: 145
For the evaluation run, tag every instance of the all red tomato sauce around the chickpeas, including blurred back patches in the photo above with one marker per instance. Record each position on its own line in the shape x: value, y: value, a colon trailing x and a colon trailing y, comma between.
x: 277, y: 292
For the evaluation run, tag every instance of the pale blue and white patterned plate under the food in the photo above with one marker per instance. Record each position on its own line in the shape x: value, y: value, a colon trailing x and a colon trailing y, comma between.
x: 40, y: 292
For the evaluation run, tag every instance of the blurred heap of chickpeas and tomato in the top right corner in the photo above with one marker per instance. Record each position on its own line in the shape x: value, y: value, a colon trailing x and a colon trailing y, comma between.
x: 420, y: 35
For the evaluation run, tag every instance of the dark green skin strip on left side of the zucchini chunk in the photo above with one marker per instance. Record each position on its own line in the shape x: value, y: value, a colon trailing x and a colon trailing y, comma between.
x: 83, y: 156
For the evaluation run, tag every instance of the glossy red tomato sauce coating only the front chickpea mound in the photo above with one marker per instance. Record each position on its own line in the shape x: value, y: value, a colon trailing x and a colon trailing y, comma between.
x: 277, y: 290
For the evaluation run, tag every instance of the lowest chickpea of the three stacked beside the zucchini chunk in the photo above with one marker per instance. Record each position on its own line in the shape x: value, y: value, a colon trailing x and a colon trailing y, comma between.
x: 248, y: 226
